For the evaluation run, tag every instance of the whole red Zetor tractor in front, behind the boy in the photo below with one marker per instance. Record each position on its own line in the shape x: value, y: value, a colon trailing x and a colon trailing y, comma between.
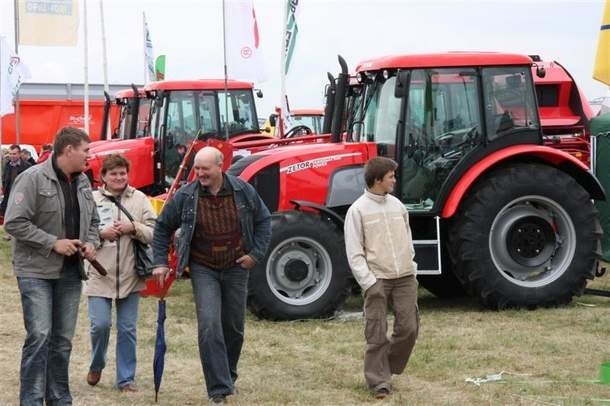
x: 488, y: 200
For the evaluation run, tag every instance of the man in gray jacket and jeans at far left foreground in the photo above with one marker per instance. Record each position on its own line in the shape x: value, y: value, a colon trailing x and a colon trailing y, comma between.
x: 52, y: 217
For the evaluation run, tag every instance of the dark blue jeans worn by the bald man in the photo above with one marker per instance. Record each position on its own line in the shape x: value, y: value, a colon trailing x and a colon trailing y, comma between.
x: 220, y: 300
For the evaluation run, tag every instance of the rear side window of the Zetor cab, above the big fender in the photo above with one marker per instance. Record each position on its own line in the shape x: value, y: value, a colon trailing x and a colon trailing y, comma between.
x: 509, y: 100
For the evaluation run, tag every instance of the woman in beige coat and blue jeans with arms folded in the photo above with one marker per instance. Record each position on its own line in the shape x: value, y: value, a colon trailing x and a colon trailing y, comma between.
x: 122, y: 284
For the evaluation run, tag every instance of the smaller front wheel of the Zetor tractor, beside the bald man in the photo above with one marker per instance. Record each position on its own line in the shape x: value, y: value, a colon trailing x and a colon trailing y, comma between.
x: 304, y: 273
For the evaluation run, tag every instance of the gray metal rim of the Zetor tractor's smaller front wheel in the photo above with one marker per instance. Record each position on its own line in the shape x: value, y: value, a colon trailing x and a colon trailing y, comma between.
x: 299, y: 271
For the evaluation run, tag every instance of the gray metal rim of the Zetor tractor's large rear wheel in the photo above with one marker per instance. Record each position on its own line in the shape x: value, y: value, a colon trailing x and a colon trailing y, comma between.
x: 532, y: 241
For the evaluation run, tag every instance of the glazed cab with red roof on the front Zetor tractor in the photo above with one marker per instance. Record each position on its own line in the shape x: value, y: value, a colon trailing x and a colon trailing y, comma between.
x: 436, y: 122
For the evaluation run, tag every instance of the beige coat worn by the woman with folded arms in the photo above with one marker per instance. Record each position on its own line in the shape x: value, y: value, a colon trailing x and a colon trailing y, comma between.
x: 117, y: 256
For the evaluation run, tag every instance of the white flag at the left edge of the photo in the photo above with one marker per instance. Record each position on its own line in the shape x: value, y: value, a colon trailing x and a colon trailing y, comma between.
x: 12, y: 73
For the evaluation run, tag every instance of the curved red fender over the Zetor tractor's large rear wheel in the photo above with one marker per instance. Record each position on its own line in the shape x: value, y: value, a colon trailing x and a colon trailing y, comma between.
x: 557, y: 158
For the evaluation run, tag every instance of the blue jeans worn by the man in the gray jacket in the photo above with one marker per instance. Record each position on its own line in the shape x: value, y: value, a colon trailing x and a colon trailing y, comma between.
x: 50, y: 310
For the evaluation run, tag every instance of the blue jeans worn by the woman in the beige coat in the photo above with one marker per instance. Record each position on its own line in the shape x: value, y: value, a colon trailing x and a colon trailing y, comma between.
x: 100, y: 315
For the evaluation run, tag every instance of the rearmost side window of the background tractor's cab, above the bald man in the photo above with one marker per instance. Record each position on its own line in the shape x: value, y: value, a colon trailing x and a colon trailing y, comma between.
x: 239, y: 105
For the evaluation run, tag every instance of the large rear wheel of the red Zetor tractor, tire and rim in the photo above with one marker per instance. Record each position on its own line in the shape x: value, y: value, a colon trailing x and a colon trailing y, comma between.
x: 526, y: 236
